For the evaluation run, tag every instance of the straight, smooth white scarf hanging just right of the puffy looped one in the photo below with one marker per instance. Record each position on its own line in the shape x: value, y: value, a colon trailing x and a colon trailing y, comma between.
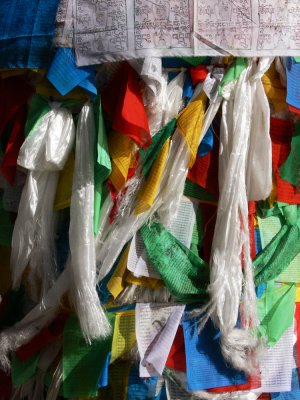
x: 91, y: 316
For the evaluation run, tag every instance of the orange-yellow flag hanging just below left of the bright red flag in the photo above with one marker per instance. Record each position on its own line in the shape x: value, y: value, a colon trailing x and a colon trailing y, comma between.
x: 121, y: 151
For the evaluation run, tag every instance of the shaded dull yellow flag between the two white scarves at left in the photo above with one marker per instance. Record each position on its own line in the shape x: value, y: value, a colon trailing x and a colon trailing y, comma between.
x: 64, y: 186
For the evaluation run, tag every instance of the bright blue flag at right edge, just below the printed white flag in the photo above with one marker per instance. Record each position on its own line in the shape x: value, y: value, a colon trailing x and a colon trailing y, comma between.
x: 293, y: 82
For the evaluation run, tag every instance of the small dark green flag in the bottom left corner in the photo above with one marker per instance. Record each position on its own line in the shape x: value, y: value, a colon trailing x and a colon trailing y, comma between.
x: 22, y: 371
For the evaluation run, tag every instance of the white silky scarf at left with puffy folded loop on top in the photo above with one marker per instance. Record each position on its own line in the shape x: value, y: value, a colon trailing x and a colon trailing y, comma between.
x: 43, y: 153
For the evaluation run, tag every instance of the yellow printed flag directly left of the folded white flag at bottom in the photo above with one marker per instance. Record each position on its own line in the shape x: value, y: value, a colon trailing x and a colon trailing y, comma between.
x: 124, y: 337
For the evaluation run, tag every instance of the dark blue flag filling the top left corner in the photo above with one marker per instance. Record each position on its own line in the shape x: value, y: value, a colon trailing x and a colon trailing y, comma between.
x: 26, y: 32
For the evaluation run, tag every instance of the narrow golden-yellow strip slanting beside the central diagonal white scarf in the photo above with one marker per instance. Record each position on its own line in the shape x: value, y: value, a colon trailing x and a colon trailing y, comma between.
x: 147, y: 193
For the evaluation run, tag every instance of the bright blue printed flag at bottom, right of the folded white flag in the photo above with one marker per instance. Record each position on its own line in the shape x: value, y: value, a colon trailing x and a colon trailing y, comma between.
x: 206, y: 367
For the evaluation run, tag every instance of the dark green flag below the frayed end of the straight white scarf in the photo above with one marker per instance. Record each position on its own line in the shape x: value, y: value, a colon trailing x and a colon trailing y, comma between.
x: 82, y: 362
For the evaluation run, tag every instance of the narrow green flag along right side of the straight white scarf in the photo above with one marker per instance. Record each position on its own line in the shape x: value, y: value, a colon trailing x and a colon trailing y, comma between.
x: 102, y: 168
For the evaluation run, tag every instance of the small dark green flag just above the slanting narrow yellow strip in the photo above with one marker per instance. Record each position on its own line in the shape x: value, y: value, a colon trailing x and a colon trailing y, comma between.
x: 149, y: 155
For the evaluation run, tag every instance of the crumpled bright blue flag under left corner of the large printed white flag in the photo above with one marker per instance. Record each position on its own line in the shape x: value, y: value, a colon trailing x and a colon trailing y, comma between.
x: 65, y: 75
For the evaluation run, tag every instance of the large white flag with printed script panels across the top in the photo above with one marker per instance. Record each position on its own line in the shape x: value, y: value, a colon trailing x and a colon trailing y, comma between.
x: 120, y: 29
